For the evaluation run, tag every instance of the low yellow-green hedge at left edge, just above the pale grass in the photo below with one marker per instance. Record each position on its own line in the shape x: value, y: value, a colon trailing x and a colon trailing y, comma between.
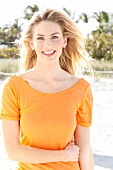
x: 10, y: 52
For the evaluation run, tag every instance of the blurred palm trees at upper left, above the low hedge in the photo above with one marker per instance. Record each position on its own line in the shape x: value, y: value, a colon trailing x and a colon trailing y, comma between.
x: 10, y: 32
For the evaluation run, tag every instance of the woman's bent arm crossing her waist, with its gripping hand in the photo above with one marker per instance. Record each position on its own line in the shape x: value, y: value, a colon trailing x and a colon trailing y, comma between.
x: 21, y: 153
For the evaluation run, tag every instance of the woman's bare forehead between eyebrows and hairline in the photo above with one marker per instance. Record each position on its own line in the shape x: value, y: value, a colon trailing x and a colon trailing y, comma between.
x: 47, y: 27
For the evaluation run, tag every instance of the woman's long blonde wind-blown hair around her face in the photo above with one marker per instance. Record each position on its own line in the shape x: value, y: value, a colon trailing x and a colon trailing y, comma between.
x: 74, y: 56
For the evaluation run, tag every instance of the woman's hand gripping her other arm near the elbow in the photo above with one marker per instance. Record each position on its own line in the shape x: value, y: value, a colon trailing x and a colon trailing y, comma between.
x: 71, y: 152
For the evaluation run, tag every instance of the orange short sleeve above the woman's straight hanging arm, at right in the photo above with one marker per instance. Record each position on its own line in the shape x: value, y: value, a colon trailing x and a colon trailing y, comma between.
x: 84, y: 114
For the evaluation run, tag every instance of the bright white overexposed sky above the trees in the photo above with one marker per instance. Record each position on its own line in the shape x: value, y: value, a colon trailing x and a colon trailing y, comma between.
x: 12, y: 9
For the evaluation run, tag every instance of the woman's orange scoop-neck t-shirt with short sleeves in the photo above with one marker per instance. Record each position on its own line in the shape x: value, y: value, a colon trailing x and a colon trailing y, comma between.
x: 47, y: 121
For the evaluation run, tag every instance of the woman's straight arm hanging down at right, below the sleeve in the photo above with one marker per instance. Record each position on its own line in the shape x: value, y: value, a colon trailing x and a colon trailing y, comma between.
x: 82, y: 139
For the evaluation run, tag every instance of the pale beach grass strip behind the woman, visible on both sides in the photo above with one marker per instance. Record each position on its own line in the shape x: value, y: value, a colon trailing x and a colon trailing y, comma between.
x: 101, y: 68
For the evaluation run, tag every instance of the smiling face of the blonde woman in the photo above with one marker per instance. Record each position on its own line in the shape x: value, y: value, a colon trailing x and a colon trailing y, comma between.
x: 48, y: 41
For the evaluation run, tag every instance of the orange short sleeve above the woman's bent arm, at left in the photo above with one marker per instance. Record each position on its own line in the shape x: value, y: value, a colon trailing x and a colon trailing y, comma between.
x: 8, y: 101
